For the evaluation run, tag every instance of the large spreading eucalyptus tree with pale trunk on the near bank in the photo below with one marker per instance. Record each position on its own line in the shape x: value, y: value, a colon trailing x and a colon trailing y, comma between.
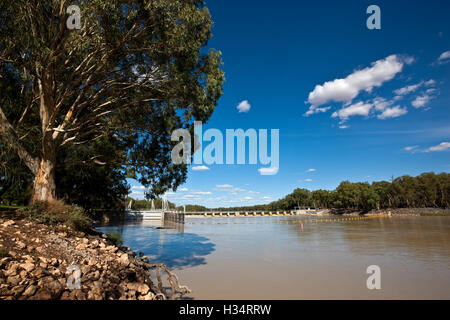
x: 133, y: 71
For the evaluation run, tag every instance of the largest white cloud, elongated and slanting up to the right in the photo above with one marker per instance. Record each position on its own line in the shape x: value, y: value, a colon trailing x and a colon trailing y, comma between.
x: 345, y: 90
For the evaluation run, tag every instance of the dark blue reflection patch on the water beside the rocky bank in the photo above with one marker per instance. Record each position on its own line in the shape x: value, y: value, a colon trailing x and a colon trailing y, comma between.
x: 166, y: 243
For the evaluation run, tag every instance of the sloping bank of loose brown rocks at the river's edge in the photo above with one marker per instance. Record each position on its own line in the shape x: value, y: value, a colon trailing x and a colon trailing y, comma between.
x: 41, y: 262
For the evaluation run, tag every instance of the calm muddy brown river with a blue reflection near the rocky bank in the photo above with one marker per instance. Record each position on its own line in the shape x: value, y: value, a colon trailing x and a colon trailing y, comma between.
x: 297, y: 257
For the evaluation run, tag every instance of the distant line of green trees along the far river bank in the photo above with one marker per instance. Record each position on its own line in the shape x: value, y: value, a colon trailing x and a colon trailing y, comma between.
x: 426, y: 190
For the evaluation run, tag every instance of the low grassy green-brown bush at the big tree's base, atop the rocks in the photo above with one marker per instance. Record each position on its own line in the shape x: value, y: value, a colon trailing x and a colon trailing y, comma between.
x: 57, y: 213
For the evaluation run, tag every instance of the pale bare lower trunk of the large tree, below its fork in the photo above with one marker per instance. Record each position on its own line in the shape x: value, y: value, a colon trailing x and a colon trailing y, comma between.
x: 44, y: 188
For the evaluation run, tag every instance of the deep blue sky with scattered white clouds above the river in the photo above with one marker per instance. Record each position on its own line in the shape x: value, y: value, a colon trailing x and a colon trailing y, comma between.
x: 378, y: 100
